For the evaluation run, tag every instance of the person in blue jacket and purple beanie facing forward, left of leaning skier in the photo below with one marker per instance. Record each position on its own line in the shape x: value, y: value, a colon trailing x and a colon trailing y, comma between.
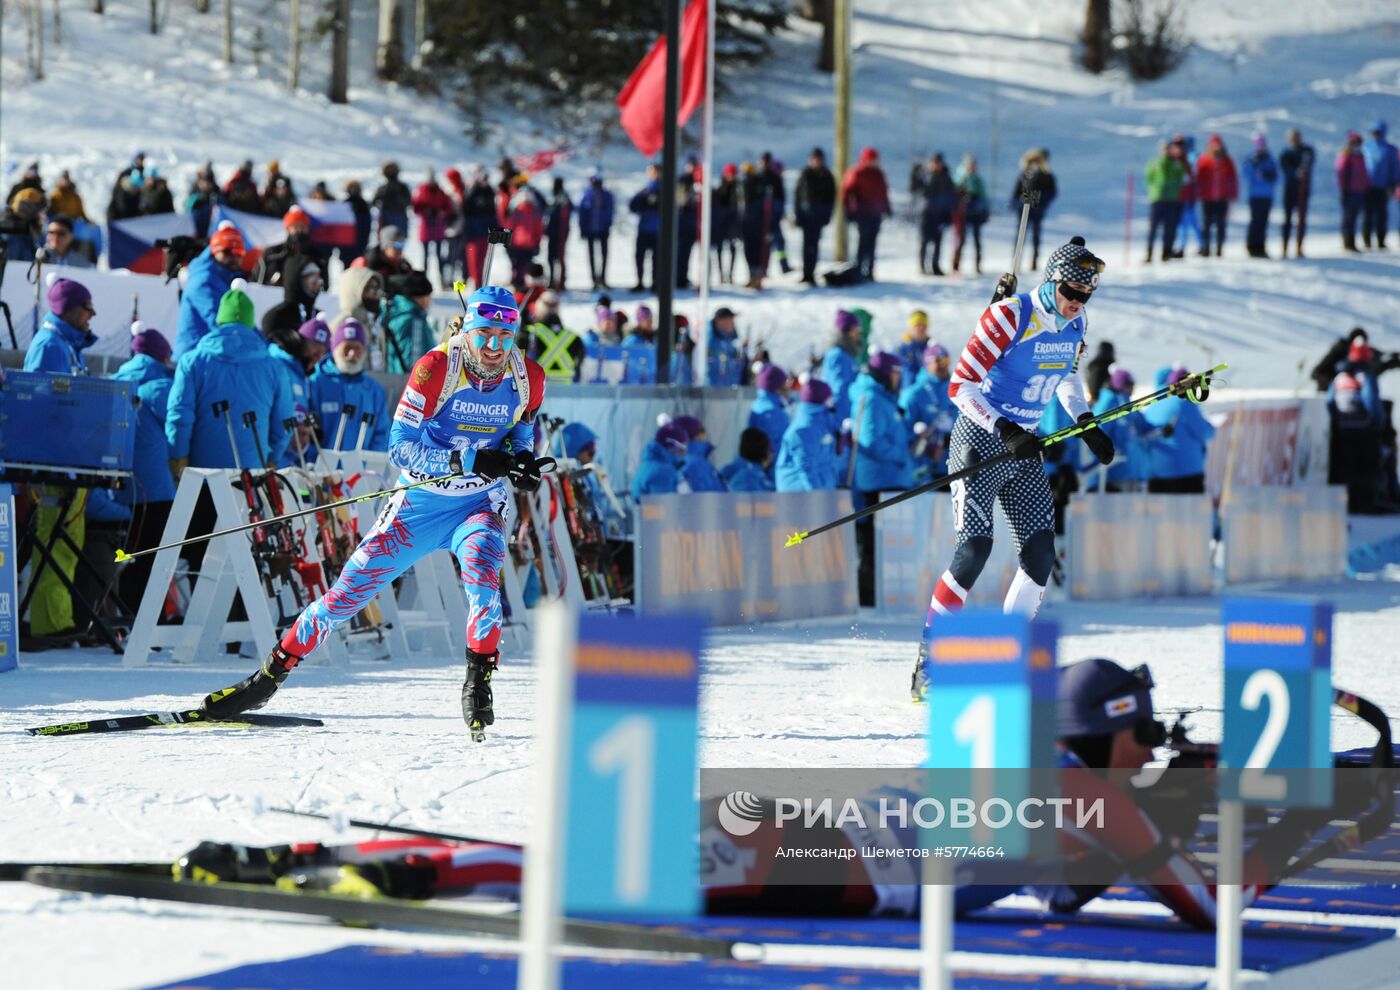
x: 339, y: 382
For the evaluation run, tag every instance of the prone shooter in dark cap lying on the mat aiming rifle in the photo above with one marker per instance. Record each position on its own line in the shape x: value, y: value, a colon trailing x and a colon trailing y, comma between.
x: 1108, y: 733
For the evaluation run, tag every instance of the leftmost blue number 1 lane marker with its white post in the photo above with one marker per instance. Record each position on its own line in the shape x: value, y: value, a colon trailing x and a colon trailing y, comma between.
x: 615, y: 823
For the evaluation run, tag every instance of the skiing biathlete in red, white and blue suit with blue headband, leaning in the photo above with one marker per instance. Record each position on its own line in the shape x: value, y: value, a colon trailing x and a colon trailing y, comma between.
x: 468, y: 411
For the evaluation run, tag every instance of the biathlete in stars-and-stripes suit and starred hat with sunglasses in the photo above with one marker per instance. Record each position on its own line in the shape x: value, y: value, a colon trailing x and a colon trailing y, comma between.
x: 1024, y: 354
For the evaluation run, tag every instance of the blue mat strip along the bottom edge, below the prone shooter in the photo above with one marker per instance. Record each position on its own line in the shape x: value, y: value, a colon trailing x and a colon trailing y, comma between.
x: 373, y: 968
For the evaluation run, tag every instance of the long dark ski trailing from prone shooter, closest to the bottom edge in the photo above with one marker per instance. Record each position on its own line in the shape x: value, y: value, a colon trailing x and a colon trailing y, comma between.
x: 387, y: 914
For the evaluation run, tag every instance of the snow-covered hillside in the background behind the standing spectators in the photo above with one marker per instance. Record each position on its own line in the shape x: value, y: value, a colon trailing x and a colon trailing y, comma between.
x: 992, y: 79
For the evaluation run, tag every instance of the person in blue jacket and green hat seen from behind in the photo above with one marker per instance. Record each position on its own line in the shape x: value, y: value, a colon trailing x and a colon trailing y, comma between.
x: 229, y: 365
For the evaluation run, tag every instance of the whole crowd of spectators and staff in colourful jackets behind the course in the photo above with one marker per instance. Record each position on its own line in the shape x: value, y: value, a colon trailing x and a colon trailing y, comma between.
x: 867, y: 419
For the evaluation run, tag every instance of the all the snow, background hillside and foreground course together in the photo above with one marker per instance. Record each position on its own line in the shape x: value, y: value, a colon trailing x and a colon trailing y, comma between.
x: 981, y: 78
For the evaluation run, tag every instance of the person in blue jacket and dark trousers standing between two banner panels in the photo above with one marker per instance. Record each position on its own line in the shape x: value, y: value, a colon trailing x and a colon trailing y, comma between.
x: 881, y: 454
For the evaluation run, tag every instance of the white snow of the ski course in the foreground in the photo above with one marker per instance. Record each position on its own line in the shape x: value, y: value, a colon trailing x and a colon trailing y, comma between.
x: 818, y: 694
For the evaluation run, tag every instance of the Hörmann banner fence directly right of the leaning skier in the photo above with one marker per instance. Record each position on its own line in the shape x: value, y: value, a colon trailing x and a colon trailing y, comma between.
x: 722, y: 554
